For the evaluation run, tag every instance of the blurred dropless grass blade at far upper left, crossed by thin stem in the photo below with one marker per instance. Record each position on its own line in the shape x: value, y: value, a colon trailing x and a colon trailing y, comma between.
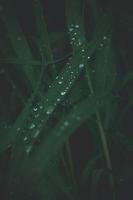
x: 18, y: 41
